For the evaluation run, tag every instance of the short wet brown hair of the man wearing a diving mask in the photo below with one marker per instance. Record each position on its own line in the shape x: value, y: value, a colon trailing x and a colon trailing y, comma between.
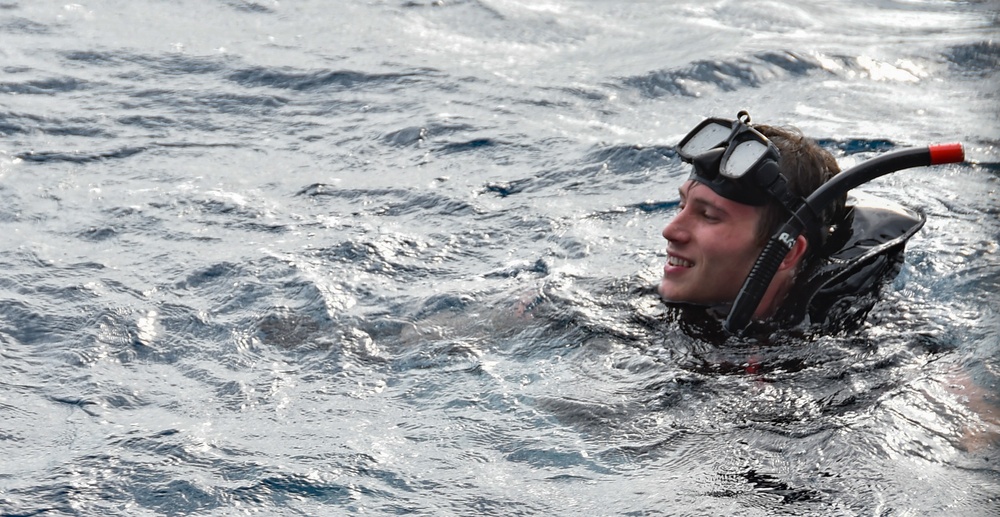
x: 805, y: 166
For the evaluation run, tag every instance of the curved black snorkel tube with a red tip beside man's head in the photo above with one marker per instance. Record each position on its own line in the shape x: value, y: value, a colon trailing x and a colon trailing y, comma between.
x: 807, y: 219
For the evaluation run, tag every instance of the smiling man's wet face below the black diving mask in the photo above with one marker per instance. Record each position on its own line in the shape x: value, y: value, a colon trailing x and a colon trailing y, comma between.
x: 711, y: 246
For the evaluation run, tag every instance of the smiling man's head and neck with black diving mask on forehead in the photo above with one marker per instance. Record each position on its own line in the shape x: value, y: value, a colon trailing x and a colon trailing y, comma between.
x: 725, y: 221
